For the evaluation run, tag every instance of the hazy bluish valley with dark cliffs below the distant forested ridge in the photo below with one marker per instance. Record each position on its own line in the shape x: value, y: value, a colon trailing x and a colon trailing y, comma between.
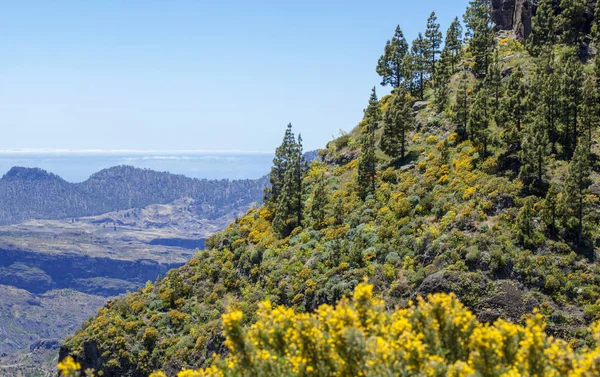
x: 56, y: 273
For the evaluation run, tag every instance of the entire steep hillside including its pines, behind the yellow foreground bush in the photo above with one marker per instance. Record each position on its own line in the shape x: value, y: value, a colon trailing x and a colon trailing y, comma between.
x: 483, y: 188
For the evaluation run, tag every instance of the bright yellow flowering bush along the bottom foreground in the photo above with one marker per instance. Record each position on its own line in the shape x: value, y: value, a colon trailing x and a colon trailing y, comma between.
x: 433, y: 337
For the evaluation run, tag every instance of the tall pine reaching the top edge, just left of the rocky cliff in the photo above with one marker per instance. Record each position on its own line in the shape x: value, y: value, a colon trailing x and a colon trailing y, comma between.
x: 480, y: 33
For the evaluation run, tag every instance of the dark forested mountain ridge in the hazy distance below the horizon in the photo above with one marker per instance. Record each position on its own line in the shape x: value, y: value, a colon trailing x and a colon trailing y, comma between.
x: 32, y: 193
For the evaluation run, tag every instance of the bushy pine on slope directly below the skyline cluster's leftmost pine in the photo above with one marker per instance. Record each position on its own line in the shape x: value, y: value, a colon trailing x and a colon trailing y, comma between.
x: 398, y: 121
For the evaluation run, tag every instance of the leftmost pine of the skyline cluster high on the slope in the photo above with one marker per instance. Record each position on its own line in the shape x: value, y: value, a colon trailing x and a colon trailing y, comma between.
x: 391, y: 64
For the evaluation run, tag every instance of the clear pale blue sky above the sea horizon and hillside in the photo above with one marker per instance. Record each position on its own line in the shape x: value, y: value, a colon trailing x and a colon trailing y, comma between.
x: 192, y: 74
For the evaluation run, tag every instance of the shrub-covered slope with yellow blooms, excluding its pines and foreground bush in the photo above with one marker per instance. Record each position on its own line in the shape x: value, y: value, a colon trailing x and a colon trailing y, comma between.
x: 446, y: 220
